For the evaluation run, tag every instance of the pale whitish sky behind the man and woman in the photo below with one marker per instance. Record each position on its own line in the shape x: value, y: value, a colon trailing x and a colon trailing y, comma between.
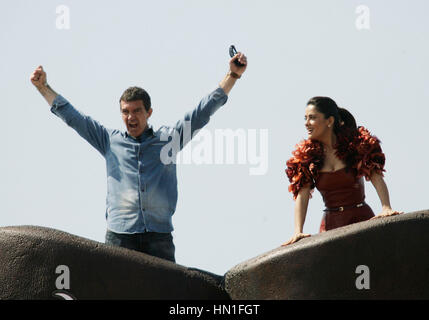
x: 178, y: 51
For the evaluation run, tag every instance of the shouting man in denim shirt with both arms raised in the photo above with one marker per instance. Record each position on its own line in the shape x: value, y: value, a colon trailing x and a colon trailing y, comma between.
x: 141, y: 186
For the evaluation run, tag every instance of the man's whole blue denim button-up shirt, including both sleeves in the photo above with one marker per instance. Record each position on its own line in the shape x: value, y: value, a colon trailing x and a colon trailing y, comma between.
x: 141, y: 189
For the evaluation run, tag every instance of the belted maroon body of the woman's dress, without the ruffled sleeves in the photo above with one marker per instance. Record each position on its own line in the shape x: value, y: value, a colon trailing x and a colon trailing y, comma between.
x: 344, y: 197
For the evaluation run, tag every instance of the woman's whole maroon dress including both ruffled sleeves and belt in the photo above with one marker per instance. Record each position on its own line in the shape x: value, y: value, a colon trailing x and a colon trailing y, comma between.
x: 343, y: 190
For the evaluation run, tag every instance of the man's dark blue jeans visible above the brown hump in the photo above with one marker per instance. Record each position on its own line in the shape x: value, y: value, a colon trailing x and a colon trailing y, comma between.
x: 153, y: 243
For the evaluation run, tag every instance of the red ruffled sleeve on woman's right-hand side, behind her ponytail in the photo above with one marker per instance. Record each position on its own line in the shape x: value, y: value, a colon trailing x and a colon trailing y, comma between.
x: 370, y: 157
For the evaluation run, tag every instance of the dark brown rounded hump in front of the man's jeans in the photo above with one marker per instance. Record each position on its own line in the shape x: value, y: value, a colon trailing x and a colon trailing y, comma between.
x: 29, y: 256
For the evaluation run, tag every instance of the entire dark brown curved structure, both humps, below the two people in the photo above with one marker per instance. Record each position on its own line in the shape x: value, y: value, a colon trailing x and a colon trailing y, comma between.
x: 384, y: 258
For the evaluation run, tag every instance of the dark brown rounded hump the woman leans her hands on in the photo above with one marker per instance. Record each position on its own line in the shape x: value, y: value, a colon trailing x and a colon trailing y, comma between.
x: 324, y: 266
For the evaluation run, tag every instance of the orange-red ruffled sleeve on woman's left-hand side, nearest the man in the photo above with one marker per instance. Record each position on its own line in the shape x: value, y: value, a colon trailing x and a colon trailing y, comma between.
x: 302, y: 168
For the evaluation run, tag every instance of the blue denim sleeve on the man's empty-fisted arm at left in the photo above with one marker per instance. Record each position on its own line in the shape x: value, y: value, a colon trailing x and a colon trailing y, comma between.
x: 85, y: 126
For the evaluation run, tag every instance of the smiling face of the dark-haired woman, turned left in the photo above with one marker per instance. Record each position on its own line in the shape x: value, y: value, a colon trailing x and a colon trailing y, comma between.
x: 317, y: 126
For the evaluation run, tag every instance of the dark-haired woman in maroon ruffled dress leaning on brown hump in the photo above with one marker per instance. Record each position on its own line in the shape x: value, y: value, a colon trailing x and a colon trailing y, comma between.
x: 335, y: 158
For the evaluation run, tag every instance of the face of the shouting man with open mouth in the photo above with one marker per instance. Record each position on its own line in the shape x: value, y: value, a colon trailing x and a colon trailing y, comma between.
x: 135, y: 117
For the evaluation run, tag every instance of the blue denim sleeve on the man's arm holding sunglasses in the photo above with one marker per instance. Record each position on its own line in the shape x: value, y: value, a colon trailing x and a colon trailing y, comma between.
x: 196, y: 119
